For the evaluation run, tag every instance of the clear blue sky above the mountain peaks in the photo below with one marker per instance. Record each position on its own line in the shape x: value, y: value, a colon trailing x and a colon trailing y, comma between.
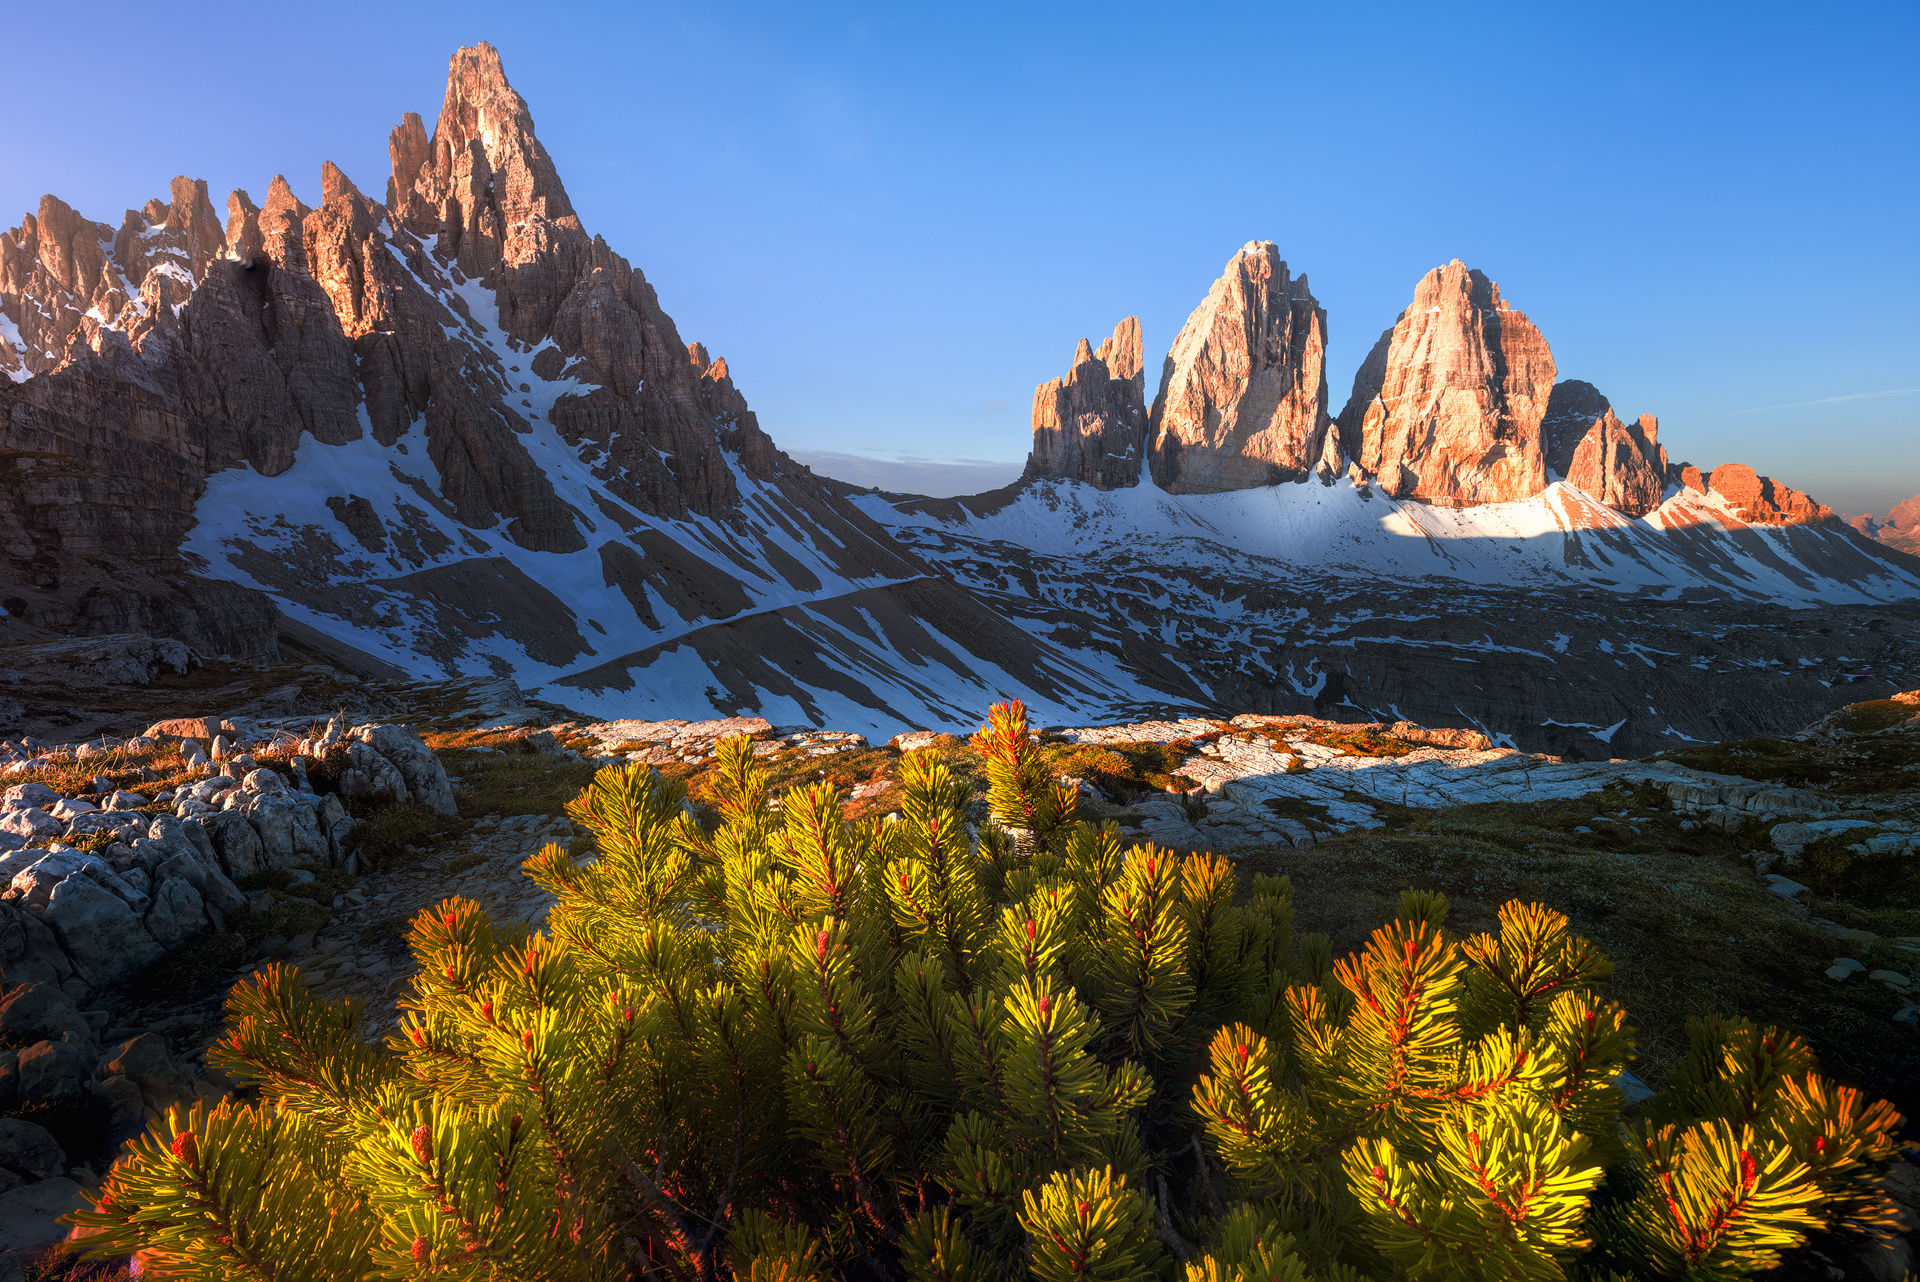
x: 896, y: 220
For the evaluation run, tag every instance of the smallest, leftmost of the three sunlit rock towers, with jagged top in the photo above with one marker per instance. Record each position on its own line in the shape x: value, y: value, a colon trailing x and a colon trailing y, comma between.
x: 1092, y: 425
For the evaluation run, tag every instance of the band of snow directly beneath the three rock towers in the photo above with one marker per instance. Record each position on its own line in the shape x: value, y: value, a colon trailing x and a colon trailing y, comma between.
x: 1692, y: 544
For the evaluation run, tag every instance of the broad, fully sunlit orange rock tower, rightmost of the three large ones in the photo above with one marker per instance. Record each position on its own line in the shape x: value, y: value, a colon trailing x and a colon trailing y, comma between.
x: 1447, y: 408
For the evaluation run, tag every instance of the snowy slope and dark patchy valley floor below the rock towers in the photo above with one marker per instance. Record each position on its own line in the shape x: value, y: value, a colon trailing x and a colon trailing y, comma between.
x: 1552, y: 625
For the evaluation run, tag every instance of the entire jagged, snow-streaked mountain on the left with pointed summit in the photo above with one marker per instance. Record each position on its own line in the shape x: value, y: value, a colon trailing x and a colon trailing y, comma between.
x: 452, y: 431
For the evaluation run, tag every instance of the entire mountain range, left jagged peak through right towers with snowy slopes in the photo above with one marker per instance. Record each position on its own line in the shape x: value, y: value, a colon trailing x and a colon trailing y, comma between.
x: 452, y: 431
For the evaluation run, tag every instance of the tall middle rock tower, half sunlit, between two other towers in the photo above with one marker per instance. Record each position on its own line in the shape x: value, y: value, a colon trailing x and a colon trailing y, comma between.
x: 1243, y: 394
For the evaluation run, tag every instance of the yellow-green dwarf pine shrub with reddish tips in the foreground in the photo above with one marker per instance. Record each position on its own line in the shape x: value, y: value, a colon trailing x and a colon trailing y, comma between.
x: 788, y: 1047
